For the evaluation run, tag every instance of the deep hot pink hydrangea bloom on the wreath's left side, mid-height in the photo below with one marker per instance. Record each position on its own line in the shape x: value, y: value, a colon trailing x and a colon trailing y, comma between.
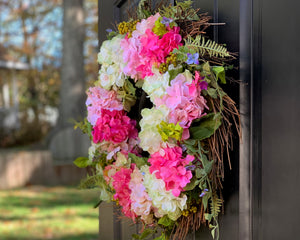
x: 114, y: 126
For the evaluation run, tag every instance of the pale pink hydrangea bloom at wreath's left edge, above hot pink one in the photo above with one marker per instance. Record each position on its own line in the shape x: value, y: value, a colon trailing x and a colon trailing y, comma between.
x: 98, y: 99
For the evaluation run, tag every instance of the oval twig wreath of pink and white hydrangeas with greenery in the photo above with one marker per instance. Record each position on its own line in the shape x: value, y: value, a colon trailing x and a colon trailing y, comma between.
x: 159, y: 121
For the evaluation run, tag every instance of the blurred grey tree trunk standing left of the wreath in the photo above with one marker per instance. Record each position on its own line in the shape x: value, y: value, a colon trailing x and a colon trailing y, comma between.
x: 72, y: 93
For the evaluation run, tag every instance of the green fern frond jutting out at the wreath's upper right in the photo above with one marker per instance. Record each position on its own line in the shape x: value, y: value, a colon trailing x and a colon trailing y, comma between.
x: 209, y: 47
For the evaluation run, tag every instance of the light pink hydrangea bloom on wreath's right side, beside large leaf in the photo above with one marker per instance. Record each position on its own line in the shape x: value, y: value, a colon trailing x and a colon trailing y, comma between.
x: 185, y: 103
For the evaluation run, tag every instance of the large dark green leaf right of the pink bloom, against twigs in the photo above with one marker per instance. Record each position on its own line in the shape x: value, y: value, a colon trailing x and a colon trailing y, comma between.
x: 207, y: 126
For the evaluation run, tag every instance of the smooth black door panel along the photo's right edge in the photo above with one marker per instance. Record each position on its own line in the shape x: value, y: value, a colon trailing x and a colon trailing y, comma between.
x: 280, y: 121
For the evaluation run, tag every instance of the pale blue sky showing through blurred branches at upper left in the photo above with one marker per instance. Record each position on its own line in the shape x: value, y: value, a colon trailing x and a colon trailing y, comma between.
x: 49, y: 36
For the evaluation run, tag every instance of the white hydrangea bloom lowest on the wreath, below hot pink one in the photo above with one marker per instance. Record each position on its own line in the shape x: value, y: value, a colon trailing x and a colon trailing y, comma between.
x: 165, y: 202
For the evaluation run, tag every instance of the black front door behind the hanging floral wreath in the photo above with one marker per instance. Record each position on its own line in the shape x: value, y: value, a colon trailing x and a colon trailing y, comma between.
x: 261, y: 191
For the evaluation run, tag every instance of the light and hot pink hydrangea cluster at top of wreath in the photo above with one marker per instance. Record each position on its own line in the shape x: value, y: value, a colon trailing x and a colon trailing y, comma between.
x: 145, y: 49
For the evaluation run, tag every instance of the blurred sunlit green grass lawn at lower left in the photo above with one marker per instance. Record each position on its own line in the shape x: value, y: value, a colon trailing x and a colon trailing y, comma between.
x: 48, y: 213
